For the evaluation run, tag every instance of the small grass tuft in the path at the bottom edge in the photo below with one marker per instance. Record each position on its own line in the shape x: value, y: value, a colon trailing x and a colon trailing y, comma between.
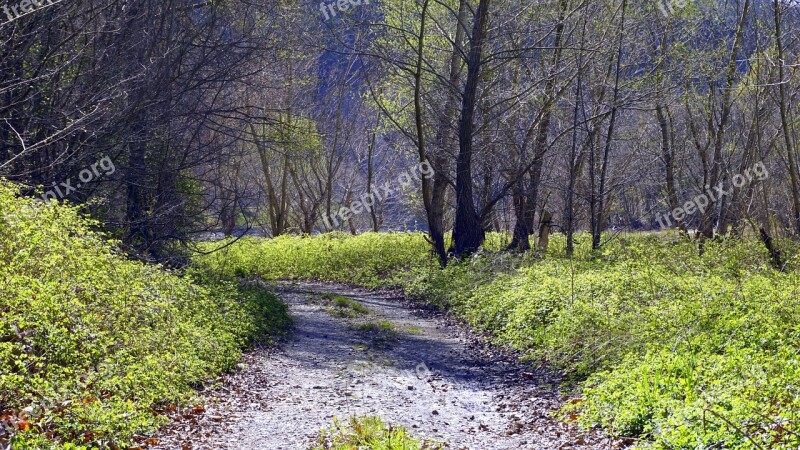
x: 370, y: 433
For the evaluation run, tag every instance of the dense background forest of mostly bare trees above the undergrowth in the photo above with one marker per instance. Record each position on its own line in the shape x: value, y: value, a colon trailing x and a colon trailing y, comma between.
x: 271, y: 117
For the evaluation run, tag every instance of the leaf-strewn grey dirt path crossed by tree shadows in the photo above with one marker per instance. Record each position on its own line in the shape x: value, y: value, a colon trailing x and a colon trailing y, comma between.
x: 408, y: 367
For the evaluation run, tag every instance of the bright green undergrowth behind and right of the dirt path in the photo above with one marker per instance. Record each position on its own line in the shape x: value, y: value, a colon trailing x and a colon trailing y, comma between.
x: 678, y: 350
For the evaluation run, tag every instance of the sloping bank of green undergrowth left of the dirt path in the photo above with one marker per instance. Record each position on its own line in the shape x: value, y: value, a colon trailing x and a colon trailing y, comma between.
x: 93, y: 345
